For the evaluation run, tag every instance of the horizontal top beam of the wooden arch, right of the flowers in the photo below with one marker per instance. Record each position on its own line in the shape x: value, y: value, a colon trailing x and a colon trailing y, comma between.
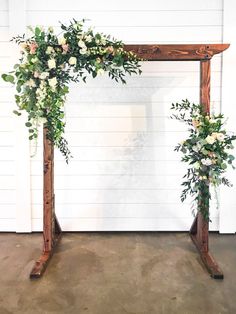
x: 194, y: 52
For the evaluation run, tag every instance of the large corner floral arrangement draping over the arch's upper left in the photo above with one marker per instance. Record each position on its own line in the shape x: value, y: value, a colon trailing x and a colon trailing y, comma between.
x: 49, y: 62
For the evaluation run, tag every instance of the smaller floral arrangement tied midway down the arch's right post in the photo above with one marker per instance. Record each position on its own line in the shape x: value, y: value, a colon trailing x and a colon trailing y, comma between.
x: 206, y: 151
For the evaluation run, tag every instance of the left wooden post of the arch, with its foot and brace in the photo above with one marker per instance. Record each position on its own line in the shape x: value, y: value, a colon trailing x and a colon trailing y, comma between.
x: 51, y: 227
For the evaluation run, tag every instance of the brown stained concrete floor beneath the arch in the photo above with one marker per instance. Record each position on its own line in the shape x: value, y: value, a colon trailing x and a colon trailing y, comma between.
x: 116, y: 273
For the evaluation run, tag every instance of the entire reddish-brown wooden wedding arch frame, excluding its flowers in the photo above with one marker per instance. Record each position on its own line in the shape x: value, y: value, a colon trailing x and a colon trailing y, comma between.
x: 199, y: 230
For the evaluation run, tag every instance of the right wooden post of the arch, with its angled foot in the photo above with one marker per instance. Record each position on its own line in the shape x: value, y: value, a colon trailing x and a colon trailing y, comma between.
x: 199, y: 231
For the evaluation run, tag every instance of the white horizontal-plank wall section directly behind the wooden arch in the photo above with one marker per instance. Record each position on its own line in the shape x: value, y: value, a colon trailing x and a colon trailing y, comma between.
x: 124, y: 174
